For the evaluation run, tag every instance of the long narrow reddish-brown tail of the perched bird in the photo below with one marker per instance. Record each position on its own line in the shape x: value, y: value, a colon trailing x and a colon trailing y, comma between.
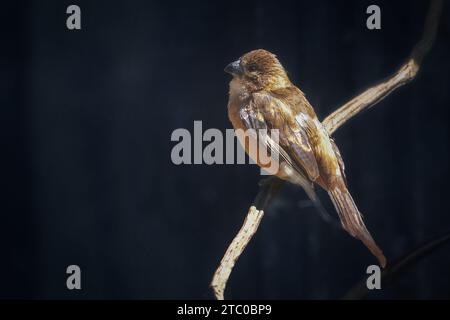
x: 352, y: 222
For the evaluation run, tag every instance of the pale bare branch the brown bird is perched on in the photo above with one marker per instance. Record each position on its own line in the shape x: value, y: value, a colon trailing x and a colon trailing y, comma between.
x: 334, y: 121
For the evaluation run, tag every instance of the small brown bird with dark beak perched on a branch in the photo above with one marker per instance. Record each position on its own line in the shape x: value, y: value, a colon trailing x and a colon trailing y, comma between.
x: 261, y: 96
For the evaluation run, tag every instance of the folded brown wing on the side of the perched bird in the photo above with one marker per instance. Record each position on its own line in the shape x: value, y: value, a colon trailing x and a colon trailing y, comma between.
x: 268, y: 112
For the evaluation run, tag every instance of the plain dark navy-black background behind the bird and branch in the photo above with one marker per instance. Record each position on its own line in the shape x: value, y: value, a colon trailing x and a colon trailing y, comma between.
x: 88, y: 180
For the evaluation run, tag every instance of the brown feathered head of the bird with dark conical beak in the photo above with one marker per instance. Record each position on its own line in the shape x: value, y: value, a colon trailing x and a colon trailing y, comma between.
x: 259, y: 70
